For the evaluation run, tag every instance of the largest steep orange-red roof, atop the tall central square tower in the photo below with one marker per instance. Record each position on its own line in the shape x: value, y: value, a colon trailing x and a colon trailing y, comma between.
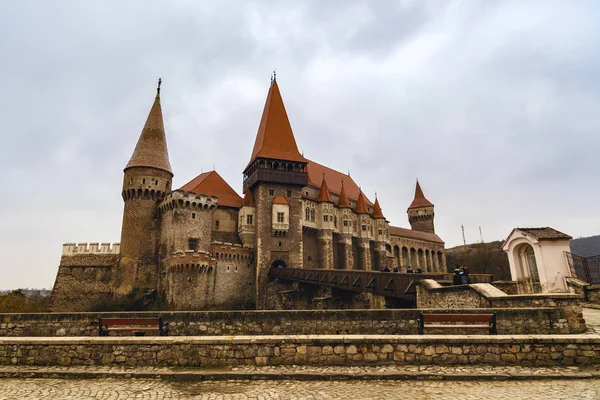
x: 275, y: 138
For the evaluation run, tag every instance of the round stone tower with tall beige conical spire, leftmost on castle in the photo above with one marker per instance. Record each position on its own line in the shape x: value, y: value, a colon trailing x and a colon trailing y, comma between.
x: 147, y: 179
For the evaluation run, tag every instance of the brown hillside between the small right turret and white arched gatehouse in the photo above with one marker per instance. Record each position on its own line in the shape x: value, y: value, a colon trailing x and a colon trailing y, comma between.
x: 481, y: 258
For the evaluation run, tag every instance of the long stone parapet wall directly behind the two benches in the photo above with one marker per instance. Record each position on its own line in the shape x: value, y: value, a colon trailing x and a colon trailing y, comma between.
x: 197, y: 323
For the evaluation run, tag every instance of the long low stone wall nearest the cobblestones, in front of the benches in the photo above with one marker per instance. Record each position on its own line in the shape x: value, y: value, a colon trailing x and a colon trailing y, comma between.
x: 301, y: 350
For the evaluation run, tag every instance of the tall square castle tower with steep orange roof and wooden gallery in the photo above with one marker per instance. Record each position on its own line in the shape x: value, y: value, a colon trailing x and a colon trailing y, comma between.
x: 275, y: 177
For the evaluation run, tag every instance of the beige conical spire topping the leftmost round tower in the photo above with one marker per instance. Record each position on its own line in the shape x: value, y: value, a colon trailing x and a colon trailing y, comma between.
x: 151, y: 149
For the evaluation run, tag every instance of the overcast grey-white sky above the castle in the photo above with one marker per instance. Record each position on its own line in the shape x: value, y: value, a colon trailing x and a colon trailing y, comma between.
x: 493, y: 105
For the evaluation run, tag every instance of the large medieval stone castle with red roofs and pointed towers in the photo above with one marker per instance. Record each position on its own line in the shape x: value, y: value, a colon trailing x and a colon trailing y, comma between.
x: 203, y: 246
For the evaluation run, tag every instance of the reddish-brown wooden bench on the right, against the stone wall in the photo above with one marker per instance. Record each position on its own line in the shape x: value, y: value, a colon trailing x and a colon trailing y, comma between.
x: 458, y: 321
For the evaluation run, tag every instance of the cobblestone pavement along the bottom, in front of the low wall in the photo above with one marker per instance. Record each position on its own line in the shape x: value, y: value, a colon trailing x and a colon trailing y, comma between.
x: 160, y: 389
